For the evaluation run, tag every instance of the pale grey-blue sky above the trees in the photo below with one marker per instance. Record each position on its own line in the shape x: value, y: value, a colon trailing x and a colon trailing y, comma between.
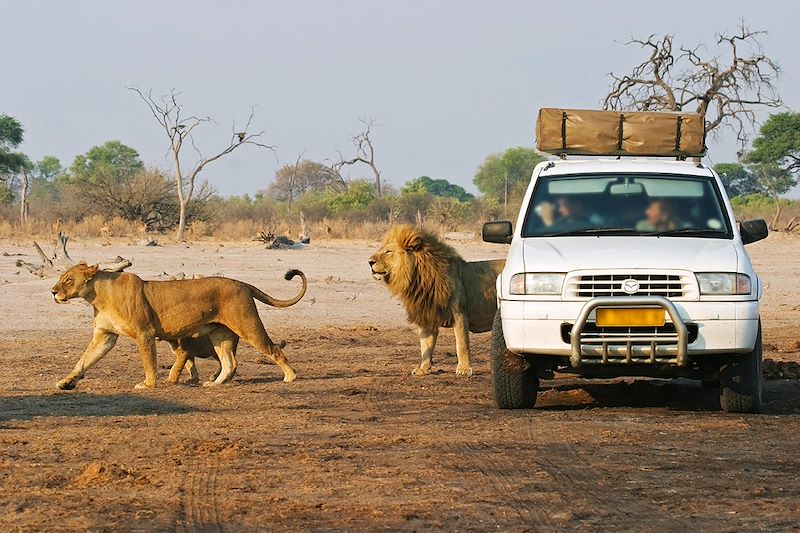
x: 448, y: 82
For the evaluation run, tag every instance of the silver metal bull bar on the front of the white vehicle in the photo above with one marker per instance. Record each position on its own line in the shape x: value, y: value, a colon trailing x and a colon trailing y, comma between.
x: 682, y: 339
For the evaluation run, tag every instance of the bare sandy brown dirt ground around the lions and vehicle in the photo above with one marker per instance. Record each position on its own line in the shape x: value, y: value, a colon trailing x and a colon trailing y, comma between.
x: 357, y: 444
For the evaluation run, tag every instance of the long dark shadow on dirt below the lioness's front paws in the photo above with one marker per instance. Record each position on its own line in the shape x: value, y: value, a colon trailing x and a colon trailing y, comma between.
x: 82, y: 404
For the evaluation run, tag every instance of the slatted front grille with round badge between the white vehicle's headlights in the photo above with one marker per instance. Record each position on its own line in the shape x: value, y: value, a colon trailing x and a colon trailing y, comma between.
x: 667, y: 284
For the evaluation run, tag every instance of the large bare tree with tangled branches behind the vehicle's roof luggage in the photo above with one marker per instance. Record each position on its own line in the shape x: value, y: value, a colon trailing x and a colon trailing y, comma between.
x: 726, y: 92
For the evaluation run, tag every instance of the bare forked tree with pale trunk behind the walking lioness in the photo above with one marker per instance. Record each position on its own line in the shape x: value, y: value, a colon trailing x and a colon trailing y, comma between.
x: 178, y: 128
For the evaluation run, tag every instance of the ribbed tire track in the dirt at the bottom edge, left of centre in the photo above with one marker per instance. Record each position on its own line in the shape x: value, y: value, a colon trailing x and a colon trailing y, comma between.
x: 199, y: 501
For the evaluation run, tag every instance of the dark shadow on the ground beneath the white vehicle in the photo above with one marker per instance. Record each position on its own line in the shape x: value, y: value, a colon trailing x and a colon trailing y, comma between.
x: 781, y: 397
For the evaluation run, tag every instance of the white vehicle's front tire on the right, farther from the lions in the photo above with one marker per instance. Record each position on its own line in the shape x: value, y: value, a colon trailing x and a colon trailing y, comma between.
x: 742, y: 381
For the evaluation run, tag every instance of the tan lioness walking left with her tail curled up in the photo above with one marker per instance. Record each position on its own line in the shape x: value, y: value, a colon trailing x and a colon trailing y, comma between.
x: 124, y: 304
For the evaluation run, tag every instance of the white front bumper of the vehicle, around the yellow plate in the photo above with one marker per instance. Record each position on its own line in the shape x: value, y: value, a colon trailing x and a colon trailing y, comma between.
x: 535, y: 328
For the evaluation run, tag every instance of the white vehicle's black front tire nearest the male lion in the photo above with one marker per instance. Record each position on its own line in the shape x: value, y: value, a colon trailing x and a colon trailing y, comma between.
x: 515, y: 381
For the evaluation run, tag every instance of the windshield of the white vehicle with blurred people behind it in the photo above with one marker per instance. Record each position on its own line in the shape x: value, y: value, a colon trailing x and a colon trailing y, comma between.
x: 626, y: 204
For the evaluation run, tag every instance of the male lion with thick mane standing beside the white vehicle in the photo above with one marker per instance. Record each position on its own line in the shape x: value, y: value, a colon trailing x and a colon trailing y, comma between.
x: 438, y: 289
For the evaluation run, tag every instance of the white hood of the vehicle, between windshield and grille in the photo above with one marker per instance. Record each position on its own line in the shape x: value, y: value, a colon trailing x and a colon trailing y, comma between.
x: 565, y: 254
